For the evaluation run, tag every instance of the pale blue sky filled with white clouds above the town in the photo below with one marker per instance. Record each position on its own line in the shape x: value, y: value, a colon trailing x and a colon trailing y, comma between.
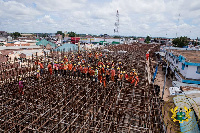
x: 137, y: 17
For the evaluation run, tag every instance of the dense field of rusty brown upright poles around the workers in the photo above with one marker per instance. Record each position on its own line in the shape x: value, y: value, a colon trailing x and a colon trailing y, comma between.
x: 63, y: 104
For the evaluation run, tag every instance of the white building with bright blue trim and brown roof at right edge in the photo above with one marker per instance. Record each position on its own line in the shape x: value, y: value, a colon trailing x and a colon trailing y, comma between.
x: 185, y: 64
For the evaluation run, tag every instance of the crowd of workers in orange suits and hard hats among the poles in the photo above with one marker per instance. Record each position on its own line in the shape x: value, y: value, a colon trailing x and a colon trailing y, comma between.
x: 95, y: 68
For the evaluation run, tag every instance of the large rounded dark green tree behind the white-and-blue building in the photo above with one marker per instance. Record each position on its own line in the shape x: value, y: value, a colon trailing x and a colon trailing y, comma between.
x: 180, y: 41
